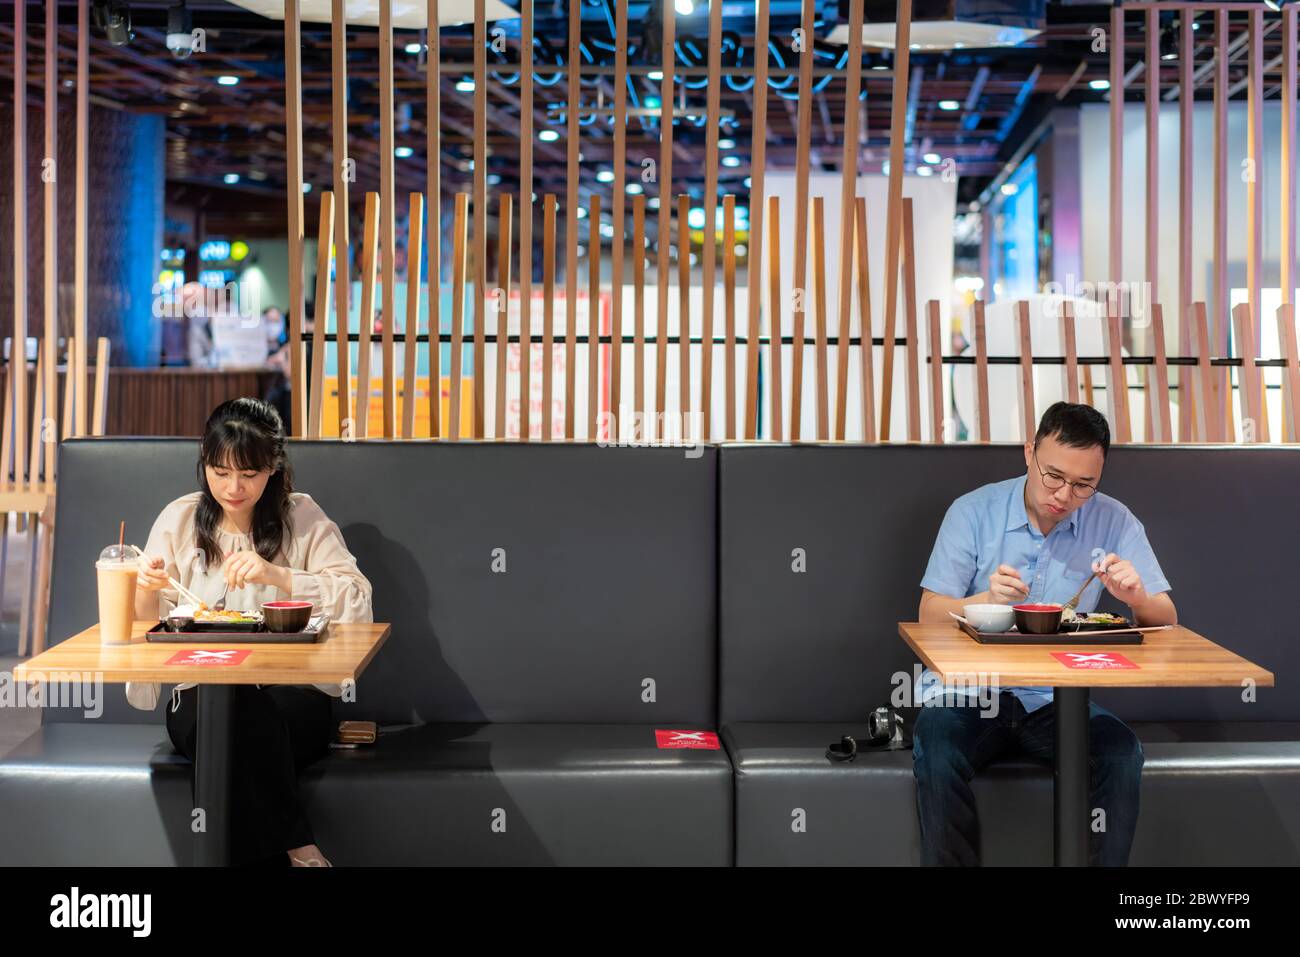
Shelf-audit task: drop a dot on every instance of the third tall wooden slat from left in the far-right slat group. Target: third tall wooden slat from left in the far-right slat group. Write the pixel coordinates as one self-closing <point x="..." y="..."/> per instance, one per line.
<point x="1186" y="101"/>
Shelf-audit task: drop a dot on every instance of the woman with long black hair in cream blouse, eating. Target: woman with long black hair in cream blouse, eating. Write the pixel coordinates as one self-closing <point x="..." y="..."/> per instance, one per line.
<point x="249" y="536"/>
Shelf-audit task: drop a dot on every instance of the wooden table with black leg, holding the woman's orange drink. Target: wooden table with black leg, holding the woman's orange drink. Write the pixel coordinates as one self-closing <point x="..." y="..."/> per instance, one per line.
<point x="341" y="657"/>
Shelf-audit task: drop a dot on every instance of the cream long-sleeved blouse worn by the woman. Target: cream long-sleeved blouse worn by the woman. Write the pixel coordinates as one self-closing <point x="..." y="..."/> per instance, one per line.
<point x="324" y="571"/>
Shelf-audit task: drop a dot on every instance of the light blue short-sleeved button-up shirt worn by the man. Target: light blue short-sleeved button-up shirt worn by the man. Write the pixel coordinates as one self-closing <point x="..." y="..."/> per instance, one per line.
<point x="990" y="527"/>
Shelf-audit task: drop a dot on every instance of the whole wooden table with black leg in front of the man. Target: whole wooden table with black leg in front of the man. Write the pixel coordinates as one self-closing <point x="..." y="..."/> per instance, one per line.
<point x="1173" y="659"/>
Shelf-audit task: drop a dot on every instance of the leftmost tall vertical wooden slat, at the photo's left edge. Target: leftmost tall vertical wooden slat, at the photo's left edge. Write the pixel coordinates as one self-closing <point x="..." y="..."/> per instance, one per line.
<point x="19" y="345"/>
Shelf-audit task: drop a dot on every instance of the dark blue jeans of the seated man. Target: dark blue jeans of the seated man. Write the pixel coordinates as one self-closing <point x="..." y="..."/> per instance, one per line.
<point x="951" y="744"/>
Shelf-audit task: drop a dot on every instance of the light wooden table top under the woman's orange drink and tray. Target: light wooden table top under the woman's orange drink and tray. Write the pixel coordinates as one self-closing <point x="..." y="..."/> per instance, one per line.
<point x="344" y="655"/>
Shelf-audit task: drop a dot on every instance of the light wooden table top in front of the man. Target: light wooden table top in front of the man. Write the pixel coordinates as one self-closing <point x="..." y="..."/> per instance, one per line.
<point x="1175" y="659"/>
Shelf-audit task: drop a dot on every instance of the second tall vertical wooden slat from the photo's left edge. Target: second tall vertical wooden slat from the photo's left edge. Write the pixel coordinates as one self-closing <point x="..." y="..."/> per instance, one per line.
<point x="49" y="380"/>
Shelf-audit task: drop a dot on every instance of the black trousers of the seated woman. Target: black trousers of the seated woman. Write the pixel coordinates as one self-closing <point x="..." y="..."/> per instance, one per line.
<point x="276" y="733"/>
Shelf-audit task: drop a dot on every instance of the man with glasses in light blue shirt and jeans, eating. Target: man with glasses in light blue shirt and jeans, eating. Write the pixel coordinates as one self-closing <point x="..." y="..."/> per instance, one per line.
<point x="1034" y="539"/>
